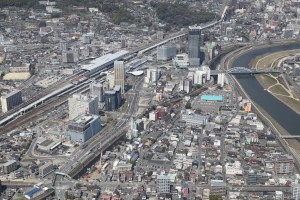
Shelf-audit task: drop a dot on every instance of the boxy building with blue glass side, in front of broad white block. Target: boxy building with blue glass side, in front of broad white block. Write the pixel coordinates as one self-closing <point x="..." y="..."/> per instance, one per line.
<point x="83" y="127"/>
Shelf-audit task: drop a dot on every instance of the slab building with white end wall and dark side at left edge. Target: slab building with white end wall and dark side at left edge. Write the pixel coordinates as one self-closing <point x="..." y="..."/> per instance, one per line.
<point x="11" y="100"/>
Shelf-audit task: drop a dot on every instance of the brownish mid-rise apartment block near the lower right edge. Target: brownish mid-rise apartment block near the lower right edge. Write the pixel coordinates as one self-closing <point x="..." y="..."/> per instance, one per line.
<point x="284" y="164"/>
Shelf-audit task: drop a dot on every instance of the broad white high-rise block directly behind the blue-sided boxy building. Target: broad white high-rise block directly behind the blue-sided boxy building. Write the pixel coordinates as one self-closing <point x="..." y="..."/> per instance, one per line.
<point x="80" y="104"/>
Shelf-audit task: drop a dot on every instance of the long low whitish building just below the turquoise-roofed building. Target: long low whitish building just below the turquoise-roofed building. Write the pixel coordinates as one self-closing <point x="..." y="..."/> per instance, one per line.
<point x="192" y="118"/>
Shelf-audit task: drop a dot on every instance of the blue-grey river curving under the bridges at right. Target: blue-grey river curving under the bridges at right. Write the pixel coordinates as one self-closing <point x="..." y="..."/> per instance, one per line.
<point x="281" y="113"/>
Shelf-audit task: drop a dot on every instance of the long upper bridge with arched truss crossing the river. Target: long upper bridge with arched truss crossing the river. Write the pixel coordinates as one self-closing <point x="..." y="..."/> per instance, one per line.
<point x="245" y="70"/>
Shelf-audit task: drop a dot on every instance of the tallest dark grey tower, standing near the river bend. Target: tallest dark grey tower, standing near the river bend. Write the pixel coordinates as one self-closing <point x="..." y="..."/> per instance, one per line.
<point x="194" y="46"/>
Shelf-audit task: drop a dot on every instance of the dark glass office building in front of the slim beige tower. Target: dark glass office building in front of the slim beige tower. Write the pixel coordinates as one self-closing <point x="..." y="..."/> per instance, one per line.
<point x="113" y="99"/>
